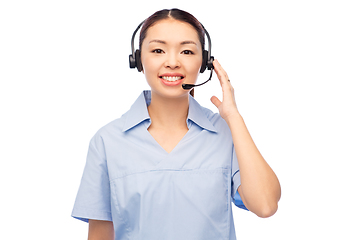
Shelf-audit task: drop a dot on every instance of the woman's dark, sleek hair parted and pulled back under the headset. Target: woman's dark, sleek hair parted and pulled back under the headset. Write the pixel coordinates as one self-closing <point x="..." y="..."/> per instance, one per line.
<point x="176" y="14"/>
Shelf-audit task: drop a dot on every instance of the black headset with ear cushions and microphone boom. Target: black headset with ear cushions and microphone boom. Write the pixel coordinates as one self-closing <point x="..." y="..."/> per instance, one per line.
<point x="207" y="59"/>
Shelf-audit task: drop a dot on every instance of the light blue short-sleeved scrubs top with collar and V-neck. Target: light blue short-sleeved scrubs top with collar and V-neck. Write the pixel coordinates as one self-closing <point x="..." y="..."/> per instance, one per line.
<point x="147" y="193"/>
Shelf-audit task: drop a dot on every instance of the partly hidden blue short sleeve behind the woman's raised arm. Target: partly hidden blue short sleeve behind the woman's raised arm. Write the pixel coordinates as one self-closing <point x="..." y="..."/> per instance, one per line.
<point x="237" y="200"/>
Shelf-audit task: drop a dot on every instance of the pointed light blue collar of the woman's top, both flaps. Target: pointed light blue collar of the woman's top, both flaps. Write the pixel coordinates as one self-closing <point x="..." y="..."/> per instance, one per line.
<point x="139" y="113"/>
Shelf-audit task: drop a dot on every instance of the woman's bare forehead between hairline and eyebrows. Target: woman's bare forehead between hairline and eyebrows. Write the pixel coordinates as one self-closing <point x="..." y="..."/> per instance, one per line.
<point x="173" y="30"/>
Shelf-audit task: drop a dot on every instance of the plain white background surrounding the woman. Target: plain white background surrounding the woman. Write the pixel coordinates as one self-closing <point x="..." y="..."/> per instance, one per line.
<point x="64" y="74"/>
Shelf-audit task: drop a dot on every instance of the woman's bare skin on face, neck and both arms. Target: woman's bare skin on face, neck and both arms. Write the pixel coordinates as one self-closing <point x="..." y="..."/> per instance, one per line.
<point x="173" y="46"/>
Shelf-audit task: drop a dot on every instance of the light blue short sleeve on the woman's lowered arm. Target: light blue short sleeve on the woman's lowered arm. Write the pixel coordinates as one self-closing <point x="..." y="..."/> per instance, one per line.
<point x="93" y="197"/>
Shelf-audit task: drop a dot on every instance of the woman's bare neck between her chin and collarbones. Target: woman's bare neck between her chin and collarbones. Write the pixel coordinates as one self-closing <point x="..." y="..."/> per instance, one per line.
<point x="168" y="112"/>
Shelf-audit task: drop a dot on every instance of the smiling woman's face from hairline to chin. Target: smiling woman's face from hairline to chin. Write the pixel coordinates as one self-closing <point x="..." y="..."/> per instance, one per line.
<point x="171" y="55"/>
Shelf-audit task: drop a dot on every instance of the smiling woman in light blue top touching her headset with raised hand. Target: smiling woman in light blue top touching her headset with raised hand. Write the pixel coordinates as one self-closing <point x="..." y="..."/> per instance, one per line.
<point x="168" y="168"/>
